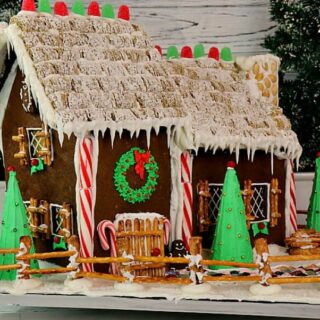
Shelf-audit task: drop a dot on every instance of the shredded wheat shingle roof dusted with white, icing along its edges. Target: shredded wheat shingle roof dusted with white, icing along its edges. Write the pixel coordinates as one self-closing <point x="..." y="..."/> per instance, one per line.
<point x="89" y="73"/>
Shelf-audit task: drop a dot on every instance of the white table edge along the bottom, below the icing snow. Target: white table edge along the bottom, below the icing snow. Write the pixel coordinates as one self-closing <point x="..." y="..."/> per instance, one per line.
<point x="33" y="306"/>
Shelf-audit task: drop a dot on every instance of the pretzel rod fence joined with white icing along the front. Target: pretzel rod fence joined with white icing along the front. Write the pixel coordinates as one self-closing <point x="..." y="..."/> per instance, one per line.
<point x="196" y="266"/>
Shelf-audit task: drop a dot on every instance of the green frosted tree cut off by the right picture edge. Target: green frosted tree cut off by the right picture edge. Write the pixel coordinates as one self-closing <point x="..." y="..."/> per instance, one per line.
<point x="313" y="221"/>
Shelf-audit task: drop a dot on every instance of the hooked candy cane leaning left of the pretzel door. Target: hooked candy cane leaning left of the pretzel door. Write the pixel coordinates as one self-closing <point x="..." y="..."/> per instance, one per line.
<point x="102" y="228"/>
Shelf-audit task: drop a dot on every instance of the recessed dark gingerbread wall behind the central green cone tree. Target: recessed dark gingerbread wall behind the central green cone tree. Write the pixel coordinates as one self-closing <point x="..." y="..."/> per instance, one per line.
<point x="213" y="167"/>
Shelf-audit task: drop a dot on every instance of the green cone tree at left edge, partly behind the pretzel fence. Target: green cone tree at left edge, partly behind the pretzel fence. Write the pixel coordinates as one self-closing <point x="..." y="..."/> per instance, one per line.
<point x="14" y="225"/>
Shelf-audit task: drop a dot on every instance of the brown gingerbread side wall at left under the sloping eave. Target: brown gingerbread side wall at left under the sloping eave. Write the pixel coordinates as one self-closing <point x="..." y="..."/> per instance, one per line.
<point x="55" y="184"/>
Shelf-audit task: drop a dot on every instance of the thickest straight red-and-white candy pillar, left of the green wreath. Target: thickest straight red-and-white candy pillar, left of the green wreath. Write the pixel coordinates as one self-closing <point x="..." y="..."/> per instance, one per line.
<point x="86" y="214"/>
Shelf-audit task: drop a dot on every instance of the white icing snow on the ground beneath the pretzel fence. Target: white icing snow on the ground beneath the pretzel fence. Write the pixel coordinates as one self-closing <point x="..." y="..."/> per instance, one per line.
<point x="241" y="291"/>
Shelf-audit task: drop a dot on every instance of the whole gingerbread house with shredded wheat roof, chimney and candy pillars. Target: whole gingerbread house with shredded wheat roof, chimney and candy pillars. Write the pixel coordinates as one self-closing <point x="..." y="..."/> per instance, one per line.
<point x="107" y="126"/>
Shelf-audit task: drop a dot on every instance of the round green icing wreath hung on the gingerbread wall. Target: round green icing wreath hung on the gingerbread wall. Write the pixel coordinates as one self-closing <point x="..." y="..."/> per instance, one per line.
<point x="122" y="186"/>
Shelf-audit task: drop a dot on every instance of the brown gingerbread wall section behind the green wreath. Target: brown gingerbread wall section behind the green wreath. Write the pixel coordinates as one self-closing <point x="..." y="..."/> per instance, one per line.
<point x="109" y="202"/>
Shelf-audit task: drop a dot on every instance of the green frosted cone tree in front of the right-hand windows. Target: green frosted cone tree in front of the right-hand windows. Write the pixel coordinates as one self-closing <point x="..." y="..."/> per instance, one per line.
<point x="231" y="241"/>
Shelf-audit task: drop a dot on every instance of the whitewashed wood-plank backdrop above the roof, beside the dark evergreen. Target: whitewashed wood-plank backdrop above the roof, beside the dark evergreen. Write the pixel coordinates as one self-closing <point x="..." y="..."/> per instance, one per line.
<point x="239" y="24"/>
